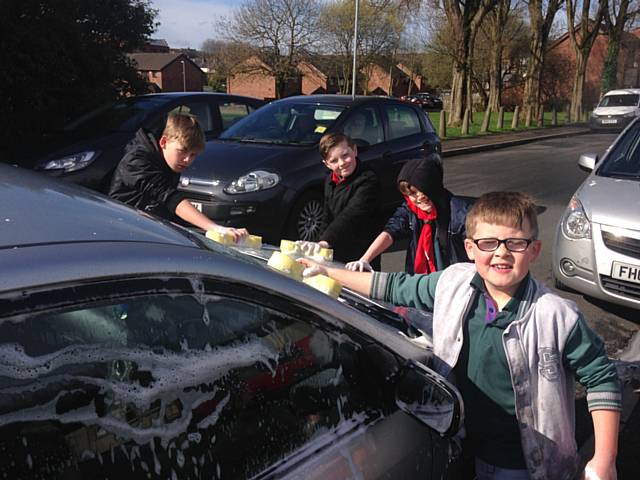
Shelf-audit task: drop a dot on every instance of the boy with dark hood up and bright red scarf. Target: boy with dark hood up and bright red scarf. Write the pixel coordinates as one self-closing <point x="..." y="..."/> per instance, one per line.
<point x="431" y="217"/>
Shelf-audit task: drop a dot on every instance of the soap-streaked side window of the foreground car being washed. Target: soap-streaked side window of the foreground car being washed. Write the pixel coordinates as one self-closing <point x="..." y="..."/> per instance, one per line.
<point x="172" y="386"/>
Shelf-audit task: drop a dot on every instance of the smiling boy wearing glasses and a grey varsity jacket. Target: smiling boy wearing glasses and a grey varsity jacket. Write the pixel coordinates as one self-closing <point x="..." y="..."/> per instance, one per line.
<point x="513" y="346"/>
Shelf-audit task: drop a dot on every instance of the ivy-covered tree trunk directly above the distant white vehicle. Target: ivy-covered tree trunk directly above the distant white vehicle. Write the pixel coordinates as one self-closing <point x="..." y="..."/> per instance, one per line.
<point x="615" y="19"/>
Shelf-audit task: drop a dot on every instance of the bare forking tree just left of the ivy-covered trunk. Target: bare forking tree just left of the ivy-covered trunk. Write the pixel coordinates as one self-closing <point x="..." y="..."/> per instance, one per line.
<point x="582" y="37"/>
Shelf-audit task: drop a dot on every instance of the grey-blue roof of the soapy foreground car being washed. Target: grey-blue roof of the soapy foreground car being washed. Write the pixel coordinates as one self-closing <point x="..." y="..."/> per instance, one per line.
<point x="38" y="209"/>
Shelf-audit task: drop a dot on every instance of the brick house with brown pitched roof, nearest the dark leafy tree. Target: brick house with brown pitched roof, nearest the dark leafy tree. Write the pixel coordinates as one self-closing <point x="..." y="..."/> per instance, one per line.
<point x="169" y="72"/>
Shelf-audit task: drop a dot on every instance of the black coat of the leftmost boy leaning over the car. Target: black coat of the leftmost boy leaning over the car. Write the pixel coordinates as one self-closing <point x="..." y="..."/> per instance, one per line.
<point x="144" y="180"/>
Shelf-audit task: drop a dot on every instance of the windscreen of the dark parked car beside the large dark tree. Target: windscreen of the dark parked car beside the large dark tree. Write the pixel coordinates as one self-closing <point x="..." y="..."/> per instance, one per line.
<point x="122" y="116"/>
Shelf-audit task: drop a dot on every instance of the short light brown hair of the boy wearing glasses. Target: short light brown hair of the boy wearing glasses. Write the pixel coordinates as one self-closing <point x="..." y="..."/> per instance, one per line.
<point x="503" y="208"/>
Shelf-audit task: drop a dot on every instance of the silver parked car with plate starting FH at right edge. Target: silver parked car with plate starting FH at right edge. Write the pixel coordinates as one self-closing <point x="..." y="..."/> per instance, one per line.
<point x="597" y="244"/>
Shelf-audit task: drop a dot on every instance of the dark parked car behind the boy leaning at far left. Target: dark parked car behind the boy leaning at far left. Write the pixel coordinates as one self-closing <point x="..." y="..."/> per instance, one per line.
<point x="87" y="150"/>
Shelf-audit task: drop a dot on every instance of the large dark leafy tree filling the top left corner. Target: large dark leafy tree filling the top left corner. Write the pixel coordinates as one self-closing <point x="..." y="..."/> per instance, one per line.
<point x="60" y="59"/>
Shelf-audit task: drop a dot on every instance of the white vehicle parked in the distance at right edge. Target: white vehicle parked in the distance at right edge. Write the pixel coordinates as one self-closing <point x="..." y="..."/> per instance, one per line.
<point x="616" y="110"/>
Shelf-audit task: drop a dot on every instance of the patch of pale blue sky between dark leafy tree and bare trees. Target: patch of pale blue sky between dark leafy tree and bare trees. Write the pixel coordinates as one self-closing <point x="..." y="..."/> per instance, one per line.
<point x="188" y="23"/>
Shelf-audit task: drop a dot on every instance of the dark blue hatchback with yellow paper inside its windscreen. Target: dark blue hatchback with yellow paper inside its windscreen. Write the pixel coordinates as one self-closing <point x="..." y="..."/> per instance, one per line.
<point x="265" y="173"/>
